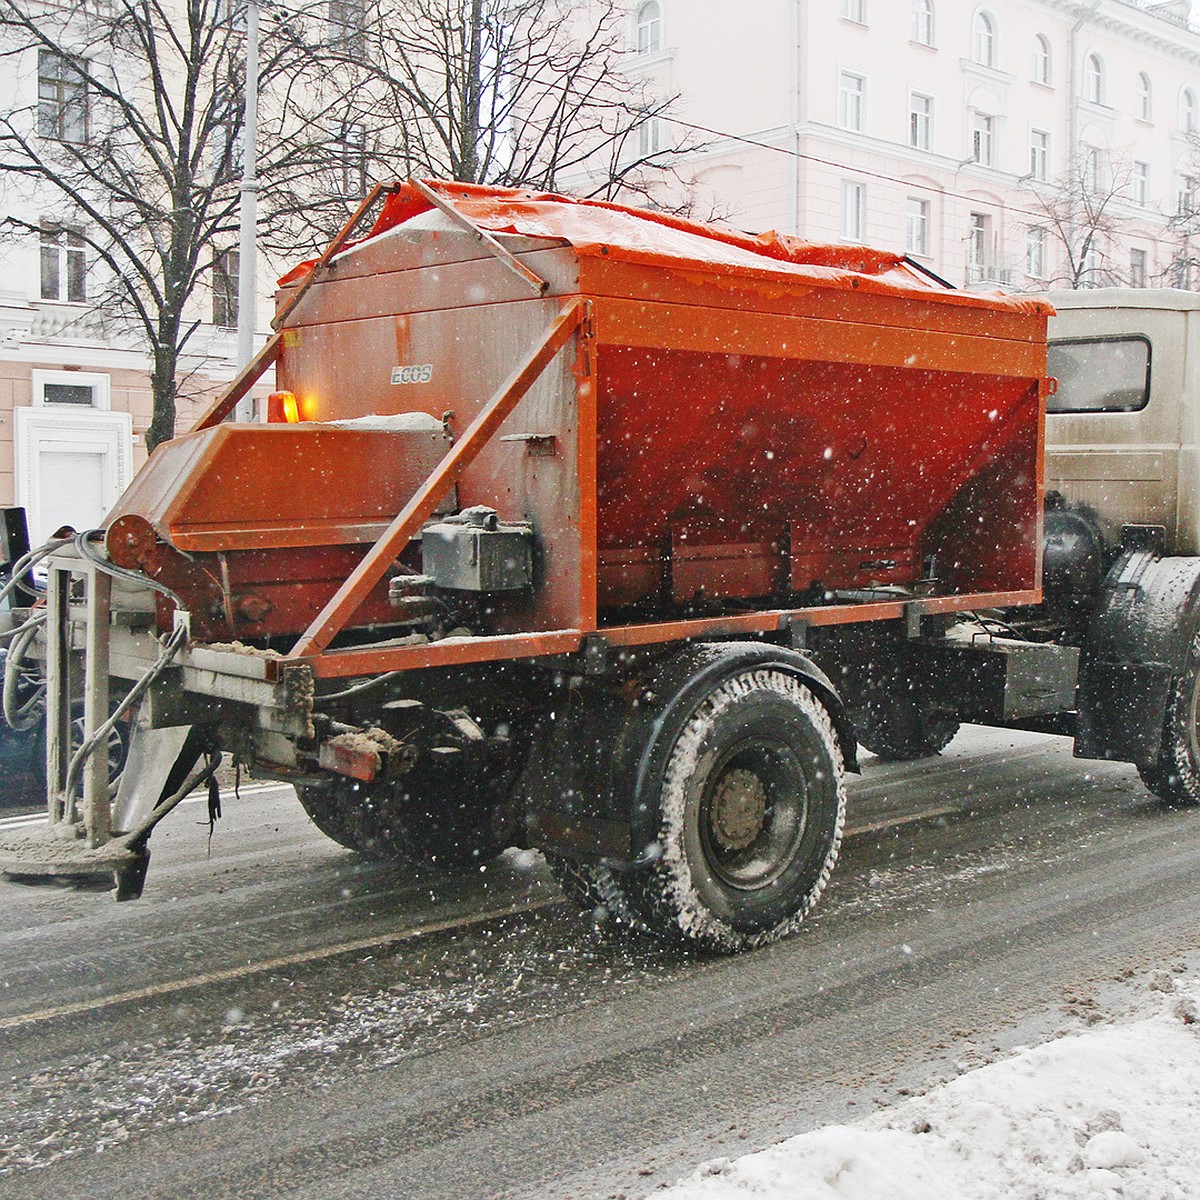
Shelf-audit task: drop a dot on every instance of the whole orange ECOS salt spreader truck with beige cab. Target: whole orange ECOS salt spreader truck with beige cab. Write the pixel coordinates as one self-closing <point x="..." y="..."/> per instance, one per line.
<point x="611" y="535"/>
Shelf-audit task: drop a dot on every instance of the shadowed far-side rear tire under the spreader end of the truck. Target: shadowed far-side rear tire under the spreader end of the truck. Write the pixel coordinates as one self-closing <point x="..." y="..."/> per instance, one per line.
<point x="434" y="817"/>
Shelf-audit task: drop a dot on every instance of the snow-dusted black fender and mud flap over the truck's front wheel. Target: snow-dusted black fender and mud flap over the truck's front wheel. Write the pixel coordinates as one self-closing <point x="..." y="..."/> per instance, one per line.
<point x="1137" y="659"/>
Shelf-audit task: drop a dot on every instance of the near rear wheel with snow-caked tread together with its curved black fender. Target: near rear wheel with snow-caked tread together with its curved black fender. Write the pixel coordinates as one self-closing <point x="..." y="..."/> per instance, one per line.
<point x="721" y="770"/>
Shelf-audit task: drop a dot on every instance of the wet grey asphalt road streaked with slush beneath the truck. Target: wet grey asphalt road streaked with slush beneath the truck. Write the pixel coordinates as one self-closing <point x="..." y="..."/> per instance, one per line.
<point x="279" y="1021"/>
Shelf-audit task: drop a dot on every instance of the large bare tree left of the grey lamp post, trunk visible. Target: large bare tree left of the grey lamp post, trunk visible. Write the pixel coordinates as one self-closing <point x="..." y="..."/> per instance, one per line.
<point x="133" y="143"/>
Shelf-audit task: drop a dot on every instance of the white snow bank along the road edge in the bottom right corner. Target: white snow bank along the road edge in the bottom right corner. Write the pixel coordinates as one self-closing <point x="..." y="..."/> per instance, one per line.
<point x="1113" y="1112"/>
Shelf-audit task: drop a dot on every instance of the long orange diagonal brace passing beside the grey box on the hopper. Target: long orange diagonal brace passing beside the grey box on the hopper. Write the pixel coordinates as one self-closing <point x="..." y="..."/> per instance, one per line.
<point x="346" y="602"/>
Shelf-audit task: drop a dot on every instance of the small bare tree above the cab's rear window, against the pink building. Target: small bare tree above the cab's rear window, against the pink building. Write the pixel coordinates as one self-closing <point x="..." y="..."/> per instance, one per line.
<point x="1081" y="214"/>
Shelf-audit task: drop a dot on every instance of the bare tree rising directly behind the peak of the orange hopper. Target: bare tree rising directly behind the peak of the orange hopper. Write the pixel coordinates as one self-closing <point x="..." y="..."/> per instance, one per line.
<point x="521" y="93"/>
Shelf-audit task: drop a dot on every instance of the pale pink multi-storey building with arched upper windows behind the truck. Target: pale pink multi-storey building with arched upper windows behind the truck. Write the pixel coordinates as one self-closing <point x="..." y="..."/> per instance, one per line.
<point x="1022" y="143"/>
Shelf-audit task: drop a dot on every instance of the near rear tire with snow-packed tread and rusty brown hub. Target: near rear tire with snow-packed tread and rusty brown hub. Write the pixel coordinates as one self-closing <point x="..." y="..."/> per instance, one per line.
<point x="751" y="806"/>
